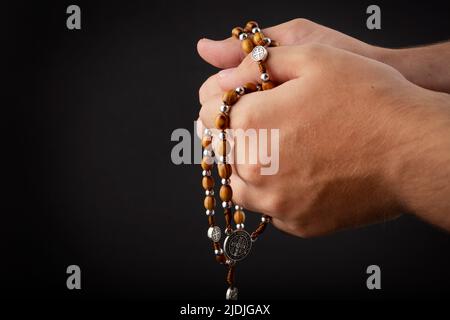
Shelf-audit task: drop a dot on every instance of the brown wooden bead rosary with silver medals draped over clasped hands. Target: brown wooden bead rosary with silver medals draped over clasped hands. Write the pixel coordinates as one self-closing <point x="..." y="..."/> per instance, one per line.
<point x="238" y="242"/>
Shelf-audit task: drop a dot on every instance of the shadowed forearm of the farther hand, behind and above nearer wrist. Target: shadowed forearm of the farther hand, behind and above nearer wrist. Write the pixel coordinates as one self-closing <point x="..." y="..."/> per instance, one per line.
<point x="427" y="66"/>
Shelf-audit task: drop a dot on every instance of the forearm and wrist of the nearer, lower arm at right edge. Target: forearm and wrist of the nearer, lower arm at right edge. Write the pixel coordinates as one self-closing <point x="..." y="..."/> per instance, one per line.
<point x="422" y="160"/>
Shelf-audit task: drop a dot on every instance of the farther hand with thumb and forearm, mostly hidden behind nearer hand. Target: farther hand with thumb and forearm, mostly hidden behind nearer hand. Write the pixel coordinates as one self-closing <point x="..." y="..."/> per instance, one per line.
<point x="425" y="66"/>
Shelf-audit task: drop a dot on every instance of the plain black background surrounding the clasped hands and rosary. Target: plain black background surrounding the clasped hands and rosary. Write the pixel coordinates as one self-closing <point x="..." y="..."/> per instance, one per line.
<point x="88" y="117"/>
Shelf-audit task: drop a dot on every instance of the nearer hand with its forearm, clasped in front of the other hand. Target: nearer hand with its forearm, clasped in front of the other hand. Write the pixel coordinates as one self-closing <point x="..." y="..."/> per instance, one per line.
<point x="359" y="143"/>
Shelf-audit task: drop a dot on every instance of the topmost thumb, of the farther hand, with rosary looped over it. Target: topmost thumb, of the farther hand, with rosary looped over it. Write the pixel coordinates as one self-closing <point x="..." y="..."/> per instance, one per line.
<point x="228" y="53"/>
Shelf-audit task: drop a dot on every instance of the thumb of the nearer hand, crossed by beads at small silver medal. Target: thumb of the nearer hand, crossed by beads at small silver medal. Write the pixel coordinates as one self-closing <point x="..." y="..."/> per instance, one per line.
<point x="283" y="64"/>
